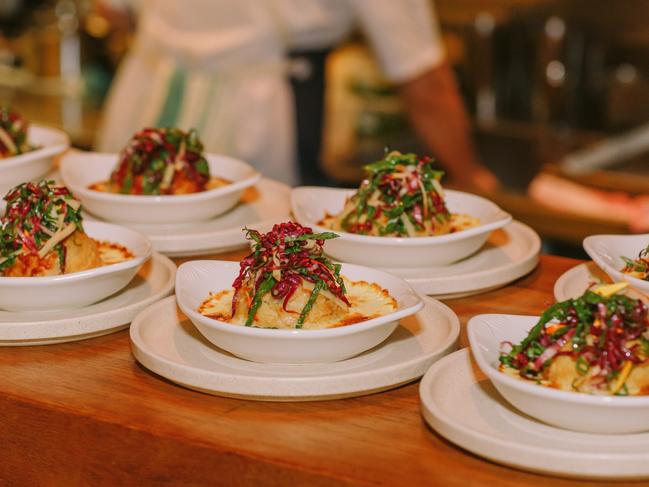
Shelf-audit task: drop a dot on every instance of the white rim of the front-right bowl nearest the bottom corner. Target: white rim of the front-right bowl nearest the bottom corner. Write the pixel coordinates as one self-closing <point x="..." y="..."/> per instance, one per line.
<point x="539" y="391"/>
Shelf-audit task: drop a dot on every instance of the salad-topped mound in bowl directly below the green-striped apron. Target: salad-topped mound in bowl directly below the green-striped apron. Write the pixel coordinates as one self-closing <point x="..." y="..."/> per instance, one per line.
<point x="161" y="161"/>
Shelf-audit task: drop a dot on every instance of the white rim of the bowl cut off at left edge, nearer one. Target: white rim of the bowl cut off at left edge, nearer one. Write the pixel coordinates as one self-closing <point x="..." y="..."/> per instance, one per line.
<point x="40" y="281"/>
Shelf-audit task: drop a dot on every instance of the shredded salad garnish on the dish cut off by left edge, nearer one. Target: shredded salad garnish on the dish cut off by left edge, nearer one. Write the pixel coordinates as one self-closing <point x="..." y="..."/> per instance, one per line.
<point x="38" y="217"/>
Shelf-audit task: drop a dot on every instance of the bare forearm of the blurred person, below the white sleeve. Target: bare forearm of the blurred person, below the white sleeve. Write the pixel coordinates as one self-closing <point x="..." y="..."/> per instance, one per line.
<point x="437" y="114"/>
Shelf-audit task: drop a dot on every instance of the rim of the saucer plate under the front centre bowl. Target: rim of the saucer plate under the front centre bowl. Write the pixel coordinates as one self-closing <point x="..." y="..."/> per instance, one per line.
<point x="143" y="354"/>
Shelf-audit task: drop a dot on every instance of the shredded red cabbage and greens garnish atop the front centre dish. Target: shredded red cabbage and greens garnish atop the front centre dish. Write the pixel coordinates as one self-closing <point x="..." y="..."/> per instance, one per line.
<point x="282" y="260"/>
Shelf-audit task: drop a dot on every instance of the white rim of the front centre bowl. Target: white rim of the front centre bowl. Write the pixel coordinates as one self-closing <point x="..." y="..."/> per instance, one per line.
<point x="294" y="334"/>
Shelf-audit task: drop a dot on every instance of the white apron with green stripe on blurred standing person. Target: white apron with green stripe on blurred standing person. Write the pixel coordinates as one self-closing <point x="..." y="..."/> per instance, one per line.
<point x="207" y="65"/>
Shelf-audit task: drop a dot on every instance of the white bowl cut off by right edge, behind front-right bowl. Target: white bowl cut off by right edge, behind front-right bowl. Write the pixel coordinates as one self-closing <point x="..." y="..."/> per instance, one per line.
<point x="606" y="251"/>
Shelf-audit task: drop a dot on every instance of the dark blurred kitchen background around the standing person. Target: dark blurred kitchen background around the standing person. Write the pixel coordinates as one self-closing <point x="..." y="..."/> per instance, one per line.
<point x="545" y="81"/>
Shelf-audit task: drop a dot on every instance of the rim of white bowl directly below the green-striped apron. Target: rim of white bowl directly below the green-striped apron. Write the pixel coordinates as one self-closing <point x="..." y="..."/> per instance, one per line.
<point x="146" y="199"/>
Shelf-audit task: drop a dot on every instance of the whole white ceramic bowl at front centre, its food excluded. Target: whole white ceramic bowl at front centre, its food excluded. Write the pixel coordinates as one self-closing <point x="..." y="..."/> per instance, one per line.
<point x="196" y="279"/>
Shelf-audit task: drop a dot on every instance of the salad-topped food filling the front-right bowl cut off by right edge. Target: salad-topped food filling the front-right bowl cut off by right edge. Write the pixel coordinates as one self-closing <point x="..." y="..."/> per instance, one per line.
<point x="605" y="337"/>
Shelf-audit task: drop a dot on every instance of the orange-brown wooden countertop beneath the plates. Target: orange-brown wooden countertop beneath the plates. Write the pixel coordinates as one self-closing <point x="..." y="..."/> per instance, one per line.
<point x="86" y="413"/>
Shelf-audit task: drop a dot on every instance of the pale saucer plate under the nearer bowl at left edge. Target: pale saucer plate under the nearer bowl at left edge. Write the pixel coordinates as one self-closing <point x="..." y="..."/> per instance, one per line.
<point x="154" y="281"/>
